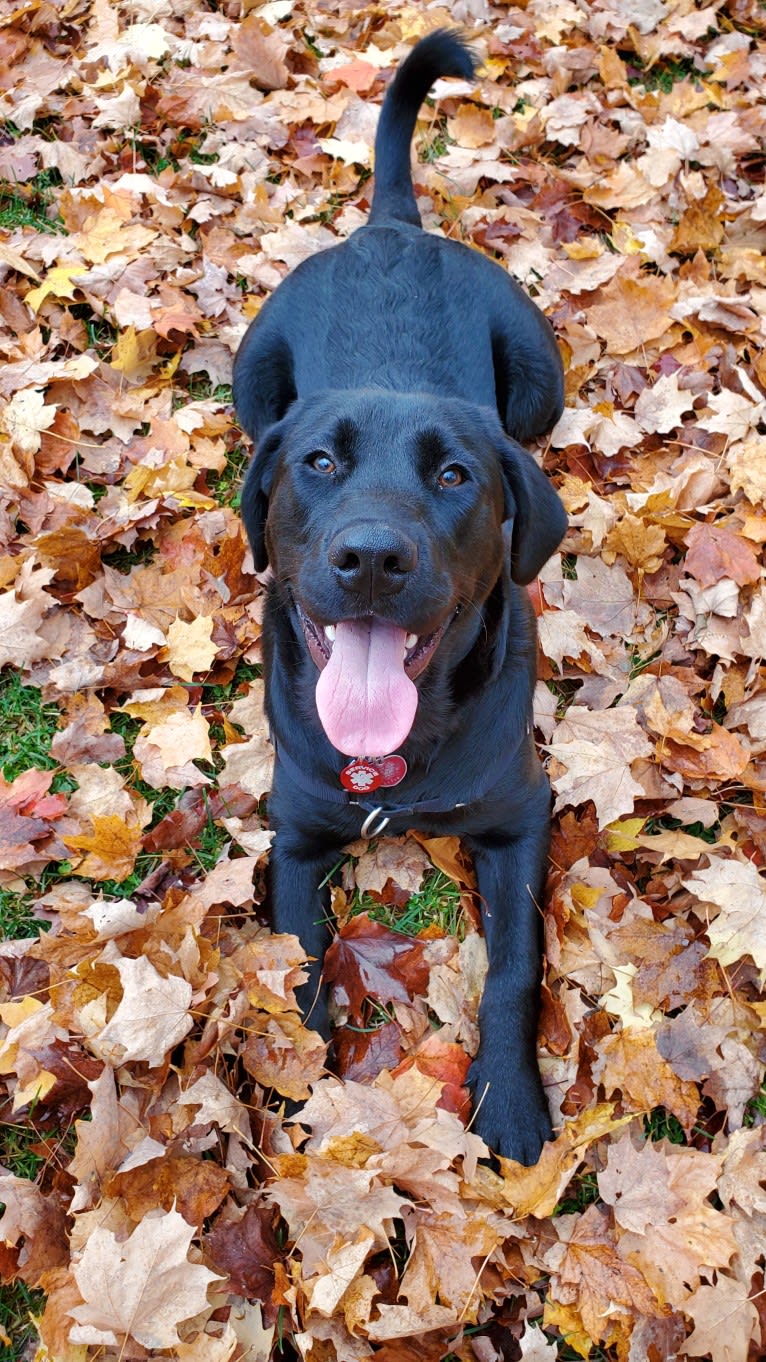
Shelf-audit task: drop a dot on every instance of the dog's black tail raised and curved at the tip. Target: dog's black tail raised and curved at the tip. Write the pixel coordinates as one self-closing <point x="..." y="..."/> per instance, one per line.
<point x="442" y="54"/>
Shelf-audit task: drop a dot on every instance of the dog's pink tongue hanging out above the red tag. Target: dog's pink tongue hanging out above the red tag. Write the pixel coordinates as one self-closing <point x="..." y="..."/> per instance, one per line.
<point x="365" y="698"/>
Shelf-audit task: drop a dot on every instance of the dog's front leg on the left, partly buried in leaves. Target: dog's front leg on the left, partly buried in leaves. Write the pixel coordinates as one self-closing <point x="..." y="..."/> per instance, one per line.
<point x="301" y="905"/>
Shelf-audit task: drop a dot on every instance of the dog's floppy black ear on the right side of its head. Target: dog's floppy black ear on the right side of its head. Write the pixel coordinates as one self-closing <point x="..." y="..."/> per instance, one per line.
<point x="539" y="518"/>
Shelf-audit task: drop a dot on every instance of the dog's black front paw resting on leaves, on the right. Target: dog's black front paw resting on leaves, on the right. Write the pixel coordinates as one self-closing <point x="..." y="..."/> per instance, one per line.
<point x="510" y="1112"/>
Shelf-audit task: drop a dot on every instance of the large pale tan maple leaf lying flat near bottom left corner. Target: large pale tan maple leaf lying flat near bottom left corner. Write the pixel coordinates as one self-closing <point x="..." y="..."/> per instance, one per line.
<point x="142" y="1288"/>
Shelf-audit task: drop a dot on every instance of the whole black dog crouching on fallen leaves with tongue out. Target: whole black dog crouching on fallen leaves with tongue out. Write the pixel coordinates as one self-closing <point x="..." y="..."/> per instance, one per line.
<point x="386" y="383"/>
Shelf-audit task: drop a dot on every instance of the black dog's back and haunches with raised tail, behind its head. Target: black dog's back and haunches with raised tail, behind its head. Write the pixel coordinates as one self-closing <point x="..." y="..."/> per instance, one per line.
<point x="401" y="310"/>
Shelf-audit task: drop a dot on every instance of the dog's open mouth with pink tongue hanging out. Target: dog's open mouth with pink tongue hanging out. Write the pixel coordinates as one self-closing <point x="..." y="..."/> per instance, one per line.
<point x="366" y="694"/>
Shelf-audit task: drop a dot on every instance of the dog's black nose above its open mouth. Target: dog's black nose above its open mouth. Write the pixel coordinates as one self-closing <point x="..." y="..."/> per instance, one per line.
<point x="373" y="559"/>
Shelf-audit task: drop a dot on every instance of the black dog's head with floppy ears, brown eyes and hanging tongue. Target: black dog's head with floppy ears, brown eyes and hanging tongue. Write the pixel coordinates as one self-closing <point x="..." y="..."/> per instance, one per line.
<point x="386" y="520"/>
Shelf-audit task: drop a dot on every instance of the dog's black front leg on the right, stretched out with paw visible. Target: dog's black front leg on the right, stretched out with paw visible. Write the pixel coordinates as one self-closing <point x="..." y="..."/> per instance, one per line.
<point x="508" y="1092"/>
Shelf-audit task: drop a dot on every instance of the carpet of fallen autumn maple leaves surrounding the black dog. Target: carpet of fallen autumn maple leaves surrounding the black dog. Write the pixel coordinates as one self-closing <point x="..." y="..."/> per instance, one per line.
<point x="164" y="164"/>
